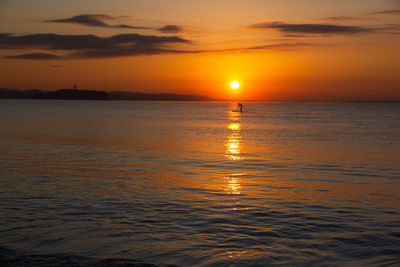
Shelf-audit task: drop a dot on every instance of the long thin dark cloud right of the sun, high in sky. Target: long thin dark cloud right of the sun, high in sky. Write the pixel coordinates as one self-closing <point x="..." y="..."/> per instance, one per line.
<point x="309" y="28"/>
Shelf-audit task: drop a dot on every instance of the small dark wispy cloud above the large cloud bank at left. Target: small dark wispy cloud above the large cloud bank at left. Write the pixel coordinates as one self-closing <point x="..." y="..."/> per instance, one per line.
<point x="94" y="20"/>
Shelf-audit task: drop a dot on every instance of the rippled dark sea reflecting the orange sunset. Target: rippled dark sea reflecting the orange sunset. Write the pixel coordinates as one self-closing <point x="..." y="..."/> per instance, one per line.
<point x="195" y="184"/>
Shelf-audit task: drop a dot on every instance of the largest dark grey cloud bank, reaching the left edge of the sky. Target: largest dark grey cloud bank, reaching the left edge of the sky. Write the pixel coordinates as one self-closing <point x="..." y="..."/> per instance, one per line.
<point x="90" y="46"/>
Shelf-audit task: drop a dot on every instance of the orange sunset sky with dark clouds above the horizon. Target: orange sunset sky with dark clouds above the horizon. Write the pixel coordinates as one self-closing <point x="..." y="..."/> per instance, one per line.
<point x="286" y="50"/>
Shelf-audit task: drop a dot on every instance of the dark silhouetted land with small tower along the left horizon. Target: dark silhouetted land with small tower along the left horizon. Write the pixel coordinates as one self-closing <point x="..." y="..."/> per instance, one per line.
<point x="74" y="94"/>
